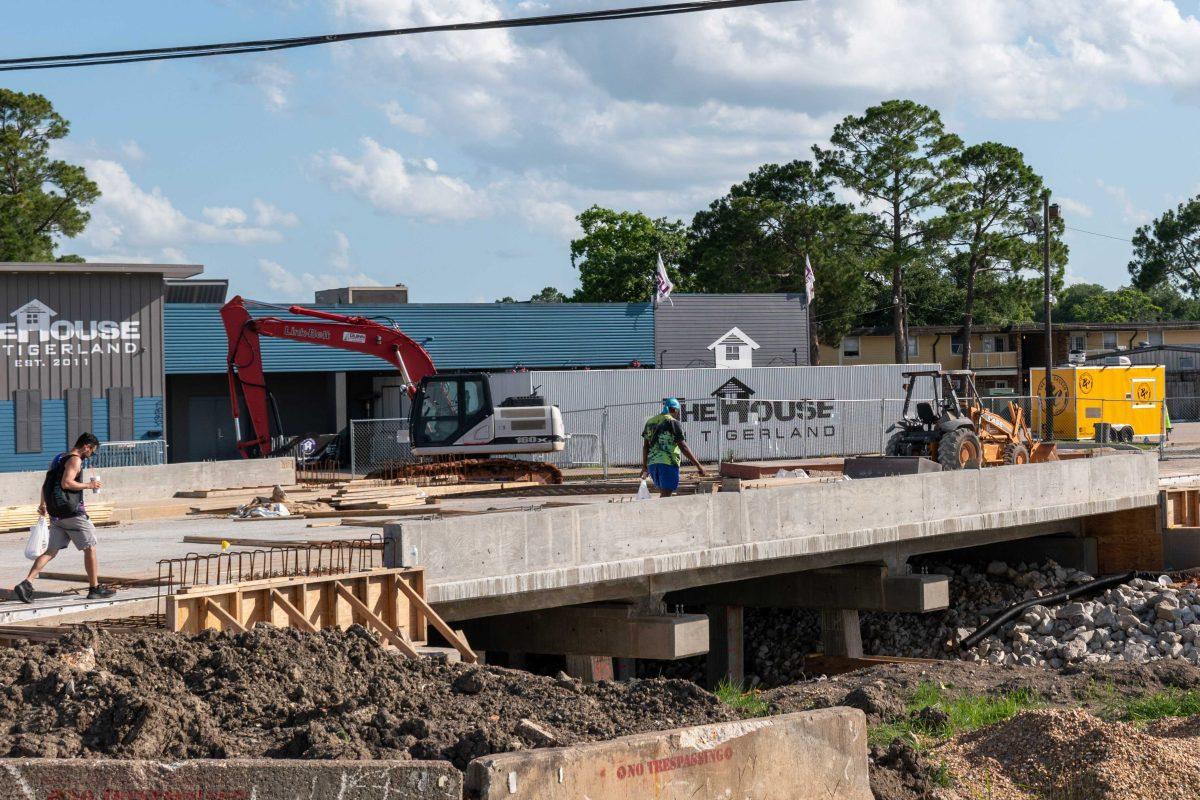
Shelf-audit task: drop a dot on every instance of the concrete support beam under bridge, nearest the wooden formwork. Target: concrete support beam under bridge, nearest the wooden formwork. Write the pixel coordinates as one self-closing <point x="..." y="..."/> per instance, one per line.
<point x="615" y="630"/>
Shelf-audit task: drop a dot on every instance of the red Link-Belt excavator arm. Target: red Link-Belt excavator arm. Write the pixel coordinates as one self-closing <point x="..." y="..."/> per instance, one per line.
<point x="355" y="334"/>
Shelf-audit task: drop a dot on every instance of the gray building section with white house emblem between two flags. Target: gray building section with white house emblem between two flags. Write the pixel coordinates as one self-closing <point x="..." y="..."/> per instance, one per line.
<point x="733" y="332"/>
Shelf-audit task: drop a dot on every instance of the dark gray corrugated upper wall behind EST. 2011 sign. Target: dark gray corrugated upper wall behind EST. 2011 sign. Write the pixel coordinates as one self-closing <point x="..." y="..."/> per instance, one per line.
<point x="86" y="299"/>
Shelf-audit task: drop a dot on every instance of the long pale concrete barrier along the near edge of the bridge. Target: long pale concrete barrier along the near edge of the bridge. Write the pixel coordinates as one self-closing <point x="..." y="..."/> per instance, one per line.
<point x="608" y="551"/>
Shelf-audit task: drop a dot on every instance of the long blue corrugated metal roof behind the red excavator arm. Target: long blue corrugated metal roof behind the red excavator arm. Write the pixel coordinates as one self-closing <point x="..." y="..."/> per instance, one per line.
<point x="465" y="336"/>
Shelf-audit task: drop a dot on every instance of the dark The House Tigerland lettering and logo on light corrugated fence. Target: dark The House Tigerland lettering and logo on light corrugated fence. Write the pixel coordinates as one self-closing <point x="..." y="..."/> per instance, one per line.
<point x="734" y="416"/>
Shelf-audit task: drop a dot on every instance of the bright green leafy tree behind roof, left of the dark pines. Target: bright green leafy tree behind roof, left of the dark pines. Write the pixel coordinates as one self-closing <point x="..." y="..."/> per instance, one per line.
<point x="619" y="252"/>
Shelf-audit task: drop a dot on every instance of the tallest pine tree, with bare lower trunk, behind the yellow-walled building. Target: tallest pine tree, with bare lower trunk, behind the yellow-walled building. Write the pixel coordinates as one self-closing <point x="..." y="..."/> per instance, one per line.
<point x="897" y="158"/>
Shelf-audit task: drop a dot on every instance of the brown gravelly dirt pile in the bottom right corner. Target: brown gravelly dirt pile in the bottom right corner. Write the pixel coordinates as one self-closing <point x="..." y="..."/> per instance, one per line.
<point x="1070" y="754"/>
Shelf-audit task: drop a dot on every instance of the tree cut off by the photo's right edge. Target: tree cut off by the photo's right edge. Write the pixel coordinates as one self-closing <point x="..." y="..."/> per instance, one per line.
<point x="1168" y="251"/>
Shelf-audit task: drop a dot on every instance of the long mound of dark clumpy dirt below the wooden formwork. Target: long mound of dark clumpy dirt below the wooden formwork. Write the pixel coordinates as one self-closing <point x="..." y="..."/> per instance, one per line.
<point x="283" y="694"/>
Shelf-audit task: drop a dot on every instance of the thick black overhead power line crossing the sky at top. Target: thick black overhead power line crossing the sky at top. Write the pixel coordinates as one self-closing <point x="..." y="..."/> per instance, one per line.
<point x="268" y="45"/>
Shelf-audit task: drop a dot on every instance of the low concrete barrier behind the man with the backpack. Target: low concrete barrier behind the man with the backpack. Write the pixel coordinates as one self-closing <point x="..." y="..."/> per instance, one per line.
<point x="141" y="484"/>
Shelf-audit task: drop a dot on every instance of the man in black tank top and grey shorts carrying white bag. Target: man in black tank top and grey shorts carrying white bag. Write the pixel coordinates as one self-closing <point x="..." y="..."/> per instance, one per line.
<point x="63" y="498"/>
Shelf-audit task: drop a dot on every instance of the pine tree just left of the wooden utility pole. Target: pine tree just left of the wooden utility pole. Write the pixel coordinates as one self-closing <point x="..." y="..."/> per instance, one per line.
<point x="993" y="208"/>
